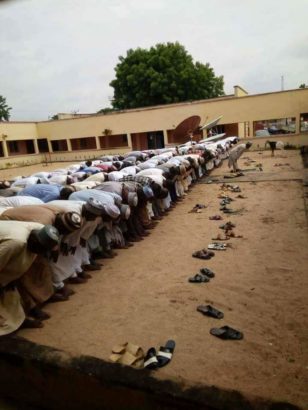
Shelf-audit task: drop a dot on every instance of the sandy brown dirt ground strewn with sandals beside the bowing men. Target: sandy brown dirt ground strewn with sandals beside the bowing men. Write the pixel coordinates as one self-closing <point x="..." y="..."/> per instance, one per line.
<point x="143" y="295"/>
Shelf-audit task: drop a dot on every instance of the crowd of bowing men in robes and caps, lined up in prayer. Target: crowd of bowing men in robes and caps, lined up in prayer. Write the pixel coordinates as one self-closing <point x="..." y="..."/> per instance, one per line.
<point x="54" y="226"/>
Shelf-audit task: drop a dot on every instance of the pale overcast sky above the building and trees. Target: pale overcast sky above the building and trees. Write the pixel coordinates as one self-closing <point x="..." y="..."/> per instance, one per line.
<point x="59" y="55"/>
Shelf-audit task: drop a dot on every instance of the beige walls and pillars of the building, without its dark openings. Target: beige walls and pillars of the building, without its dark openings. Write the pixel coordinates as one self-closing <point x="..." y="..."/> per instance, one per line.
<point x="239" y="112"/>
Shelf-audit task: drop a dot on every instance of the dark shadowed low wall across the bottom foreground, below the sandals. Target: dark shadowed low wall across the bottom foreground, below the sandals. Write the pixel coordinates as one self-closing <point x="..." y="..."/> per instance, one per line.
<point x="41" y="376"/>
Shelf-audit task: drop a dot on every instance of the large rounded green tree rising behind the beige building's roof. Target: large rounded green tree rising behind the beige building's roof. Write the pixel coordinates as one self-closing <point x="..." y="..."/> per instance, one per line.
<point x="163" y="74"/>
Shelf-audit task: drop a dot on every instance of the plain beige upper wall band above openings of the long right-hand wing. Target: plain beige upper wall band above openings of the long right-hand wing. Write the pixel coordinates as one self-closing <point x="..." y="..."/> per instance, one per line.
<point x="234" y="110"/>
